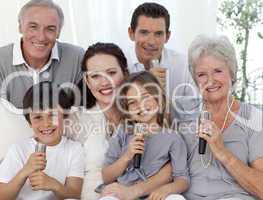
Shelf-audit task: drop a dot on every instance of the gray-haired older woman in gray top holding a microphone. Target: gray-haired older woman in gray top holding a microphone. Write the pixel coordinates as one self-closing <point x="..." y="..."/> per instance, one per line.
<point x="232" y="166"/>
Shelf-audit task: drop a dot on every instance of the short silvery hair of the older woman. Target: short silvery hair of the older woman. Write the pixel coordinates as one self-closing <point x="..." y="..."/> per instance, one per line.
<point x="218" y="47"/>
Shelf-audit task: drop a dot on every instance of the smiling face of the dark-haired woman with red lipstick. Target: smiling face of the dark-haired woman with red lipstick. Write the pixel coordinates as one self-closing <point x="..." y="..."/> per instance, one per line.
<point x="104" y="76"/>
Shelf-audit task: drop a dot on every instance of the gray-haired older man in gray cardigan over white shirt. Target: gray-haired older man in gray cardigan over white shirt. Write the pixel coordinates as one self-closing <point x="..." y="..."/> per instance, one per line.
<point x="38" y="56"/>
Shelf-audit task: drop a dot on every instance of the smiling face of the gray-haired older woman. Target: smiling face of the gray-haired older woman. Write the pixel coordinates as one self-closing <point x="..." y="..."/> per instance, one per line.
<point x="213" y="78"/>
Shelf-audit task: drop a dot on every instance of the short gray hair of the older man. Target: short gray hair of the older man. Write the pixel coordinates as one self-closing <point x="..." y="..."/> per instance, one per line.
<point x="42" y="3"/>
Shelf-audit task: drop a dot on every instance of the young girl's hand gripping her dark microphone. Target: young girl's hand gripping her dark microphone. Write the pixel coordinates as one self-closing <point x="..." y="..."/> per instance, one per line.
<point x="136" y="146"/>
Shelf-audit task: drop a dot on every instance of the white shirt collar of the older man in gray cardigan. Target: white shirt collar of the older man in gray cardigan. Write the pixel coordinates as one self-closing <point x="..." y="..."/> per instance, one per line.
<point x="18" y="58"/>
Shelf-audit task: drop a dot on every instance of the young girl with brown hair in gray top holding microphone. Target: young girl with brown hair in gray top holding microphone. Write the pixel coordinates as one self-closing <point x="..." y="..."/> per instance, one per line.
<point x="142" y="101"/>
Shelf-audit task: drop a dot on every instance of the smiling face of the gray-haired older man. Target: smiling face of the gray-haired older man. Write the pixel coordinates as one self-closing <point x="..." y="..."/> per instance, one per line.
<point x="40" y="29"/>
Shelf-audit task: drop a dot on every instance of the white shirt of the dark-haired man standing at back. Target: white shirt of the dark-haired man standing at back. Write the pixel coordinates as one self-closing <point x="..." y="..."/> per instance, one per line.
<point x="176" y="65"/>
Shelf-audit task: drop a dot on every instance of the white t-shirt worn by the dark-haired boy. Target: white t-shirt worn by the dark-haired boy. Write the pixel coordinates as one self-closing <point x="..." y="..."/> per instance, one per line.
<point x="63" y="160"/>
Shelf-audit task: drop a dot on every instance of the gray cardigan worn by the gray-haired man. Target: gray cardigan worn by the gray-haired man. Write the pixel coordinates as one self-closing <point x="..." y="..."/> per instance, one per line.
<point x="66" y="70"/>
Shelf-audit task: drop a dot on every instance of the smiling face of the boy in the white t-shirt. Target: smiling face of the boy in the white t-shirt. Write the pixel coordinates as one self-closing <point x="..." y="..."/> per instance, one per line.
<point x="47" y="126"/>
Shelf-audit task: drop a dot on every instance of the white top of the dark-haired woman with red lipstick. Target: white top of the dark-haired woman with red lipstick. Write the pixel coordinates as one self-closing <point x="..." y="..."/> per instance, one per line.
<point x="89" y="128"/>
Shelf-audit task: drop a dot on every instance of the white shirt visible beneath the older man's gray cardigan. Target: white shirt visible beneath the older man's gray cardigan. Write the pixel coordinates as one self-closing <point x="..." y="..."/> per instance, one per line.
<point x="18" y="59"/>
